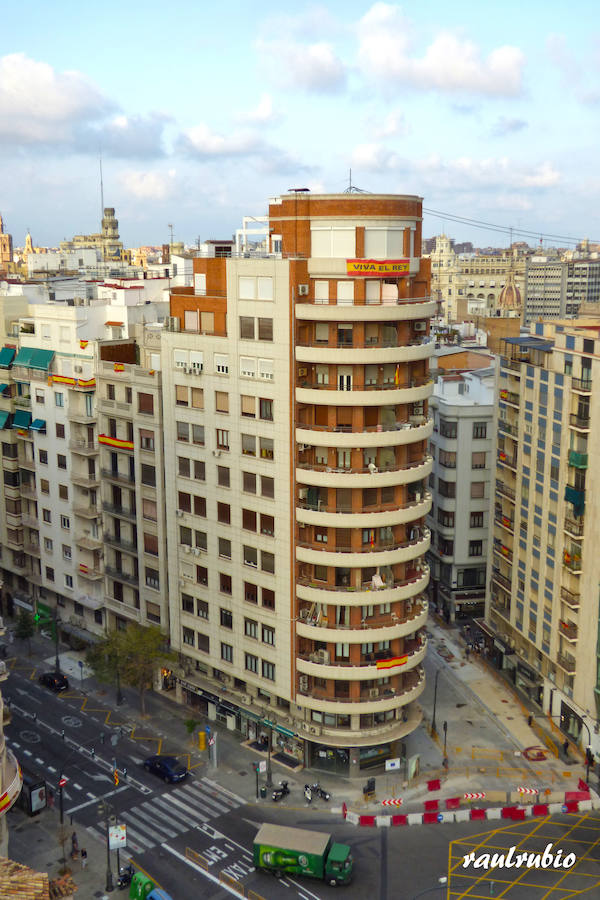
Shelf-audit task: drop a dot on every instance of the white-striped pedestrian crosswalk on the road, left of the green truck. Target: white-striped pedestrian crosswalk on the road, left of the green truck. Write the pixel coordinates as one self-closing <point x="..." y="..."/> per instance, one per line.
<point x="167" y="815"/>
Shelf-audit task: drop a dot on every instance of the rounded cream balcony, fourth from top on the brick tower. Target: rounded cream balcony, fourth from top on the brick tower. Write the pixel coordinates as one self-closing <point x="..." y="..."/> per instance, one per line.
<point x="396" y="435"/>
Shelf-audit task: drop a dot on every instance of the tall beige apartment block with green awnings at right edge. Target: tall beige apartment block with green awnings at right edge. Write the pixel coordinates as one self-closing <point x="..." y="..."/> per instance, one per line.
<point x="543" y="614"/>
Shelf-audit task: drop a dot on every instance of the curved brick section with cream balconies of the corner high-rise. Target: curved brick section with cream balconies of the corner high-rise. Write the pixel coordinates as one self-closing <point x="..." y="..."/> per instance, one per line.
<point x="361" y="420"/>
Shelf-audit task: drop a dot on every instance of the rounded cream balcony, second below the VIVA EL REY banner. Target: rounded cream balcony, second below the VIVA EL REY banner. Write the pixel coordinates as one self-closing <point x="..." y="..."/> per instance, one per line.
<point x="378" y="353"/>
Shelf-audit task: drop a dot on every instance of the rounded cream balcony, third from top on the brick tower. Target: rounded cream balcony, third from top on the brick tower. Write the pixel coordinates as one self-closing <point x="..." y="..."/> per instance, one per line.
<point x="367" y="395"/>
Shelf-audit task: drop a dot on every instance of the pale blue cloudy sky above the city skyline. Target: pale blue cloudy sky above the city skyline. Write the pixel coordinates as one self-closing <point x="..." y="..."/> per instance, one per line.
<point x="203" y="110"/>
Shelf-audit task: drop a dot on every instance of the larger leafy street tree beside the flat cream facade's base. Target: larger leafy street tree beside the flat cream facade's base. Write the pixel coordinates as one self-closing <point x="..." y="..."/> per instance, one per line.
<point x="130" y="657"/>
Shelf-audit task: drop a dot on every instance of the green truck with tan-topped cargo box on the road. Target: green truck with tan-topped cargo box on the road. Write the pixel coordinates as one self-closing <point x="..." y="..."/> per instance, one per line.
<point x="297" y="851"/>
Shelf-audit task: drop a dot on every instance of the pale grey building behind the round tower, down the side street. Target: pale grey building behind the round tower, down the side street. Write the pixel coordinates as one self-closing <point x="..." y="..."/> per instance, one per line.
<point x="462" y="446"/>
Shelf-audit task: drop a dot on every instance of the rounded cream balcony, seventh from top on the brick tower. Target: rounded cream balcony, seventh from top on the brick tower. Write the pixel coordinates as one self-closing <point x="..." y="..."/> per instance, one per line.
<point x="380" y="554"/>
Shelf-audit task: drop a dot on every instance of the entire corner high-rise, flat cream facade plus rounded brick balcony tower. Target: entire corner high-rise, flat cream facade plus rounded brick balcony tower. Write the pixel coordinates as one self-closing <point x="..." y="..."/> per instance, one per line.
<point x="296" y="392"/>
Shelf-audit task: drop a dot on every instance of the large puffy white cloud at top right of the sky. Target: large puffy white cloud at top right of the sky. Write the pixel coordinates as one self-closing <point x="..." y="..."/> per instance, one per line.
<point x="450" y="63"/>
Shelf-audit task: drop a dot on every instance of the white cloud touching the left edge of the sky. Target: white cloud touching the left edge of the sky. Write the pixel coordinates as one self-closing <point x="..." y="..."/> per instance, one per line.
<point x="40" y="105"/>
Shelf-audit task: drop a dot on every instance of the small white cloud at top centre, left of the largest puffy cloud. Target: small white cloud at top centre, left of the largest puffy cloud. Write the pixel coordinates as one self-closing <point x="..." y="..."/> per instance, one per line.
<point x="310" y="67"/>
